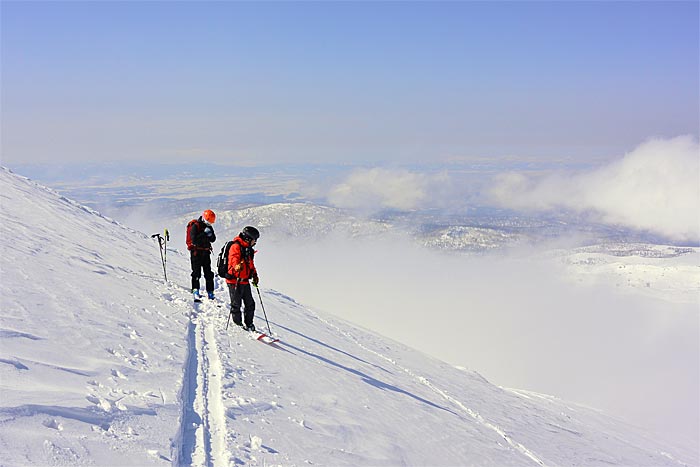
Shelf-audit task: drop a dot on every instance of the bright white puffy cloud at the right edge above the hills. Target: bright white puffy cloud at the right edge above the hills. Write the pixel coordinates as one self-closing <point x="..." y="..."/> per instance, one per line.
<point x="656" y="187"/>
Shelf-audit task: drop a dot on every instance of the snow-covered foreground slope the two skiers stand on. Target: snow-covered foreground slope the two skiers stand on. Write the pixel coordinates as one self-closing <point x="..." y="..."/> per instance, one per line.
<point x="104" y="363"/>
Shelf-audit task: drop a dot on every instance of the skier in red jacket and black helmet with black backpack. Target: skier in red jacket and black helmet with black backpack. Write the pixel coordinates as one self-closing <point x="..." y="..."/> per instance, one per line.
<point x="241" y="270"/>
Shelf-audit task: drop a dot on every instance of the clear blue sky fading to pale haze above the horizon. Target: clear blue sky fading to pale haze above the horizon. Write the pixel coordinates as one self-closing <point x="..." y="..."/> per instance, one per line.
<point x="346" y="82"/>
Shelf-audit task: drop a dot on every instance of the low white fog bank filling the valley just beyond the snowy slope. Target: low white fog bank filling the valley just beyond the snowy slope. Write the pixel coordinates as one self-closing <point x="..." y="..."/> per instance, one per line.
<point x="515" y="319"/>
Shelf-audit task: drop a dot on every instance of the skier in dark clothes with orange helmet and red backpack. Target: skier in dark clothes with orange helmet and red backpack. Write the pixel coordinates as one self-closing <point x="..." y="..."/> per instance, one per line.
<point x="200" y="236"/>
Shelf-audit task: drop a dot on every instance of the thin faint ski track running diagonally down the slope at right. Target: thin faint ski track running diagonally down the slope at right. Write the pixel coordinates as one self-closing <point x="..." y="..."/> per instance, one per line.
<point x="475" y="415"/>
